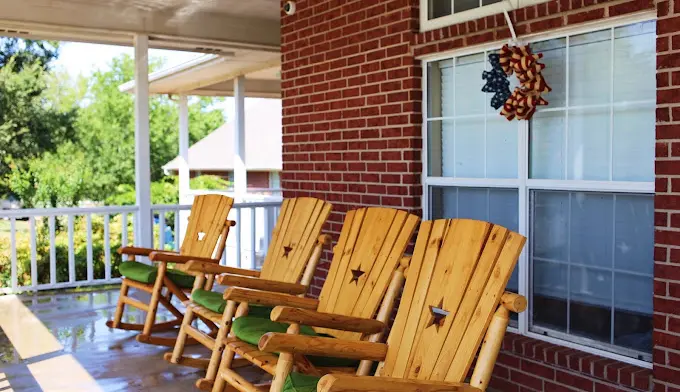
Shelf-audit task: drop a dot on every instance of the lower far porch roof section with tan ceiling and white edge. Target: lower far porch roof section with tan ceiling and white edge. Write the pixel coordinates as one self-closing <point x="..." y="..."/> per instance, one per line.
<point x="213" y="75"/>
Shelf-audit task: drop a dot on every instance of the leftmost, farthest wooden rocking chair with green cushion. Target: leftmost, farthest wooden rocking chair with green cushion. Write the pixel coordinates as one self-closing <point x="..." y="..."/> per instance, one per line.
<point x="205" y="239"/>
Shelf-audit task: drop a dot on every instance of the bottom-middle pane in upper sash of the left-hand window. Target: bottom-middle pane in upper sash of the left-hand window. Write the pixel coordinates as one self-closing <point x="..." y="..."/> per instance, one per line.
<point x="469" y="148"/>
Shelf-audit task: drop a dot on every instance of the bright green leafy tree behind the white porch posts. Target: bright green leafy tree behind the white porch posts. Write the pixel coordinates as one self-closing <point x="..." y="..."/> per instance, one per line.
<point x="106" y="128"/>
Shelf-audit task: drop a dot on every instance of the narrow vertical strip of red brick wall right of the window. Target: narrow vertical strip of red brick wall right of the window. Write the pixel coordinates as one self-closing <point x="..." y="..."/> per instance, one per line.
<point x="667" y="201"/>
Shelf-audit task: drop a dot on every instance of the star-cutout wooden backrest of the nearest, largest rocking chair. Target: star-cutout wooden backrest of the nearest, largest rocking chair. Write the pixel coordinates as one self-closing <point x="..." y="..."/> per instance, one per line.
<point x="457" y="275"/>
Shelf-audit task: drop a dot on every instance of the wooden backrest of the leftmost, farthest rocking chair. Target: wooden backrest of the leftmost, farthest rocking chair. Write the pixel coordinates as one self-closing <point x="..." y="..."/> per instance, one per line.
<point x="206" y="225"/>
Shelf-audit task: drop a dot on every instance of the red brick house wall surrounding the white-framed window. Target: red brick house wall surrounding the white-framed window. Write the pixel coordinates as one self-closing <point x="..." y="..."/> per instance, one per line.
<point x="352" y="102"/>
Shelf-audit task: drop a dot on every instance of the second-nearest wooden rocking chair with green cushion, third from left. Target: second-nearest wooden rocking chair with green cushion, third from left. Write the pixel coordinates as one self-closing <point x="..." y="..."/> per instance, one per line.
<point x="364" y="270"/>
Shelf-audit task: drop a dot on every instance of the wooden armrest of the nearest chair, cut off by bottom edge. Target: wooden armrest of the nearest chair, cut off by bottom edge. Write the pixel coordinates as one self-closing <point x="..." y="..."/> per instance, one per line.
<point x="347" y="383"/>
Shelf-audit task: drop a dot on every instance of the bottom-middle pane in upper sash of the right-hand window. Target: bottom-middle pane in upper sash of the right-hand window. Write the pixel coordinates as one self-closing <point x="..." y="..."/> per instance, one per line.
<point x="588" y="149"/>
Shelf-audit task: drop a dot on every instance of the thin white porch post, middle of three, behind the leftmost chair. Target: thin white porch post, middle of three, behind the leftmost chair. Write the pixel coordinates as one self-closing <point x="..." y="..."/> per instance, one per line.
<point x="184" y="177"/>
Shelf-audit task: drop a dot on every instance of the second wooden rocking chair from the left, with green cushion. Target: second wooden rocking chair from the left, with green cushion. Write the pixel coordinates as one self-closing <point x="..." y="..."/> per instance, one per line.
<point x="294" y="252"/>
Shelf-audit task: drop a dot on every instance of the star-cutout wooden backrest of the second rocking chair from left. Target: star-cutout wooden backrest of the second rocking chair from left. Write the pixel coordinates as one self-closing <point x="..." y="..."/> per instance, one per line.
<point x="296" y="232"/>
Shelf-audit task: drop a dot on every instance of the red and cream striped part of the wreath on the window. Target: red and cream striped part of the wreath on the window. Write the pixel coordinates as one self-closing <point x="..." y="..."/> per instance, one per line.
<point x="527" y="96"/>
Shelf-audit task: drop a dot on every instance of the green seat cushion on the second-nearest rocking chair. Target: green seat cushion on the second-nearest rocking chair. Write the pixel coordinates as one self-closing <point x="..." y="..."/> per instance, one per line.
<point x="250" y="329"/>
